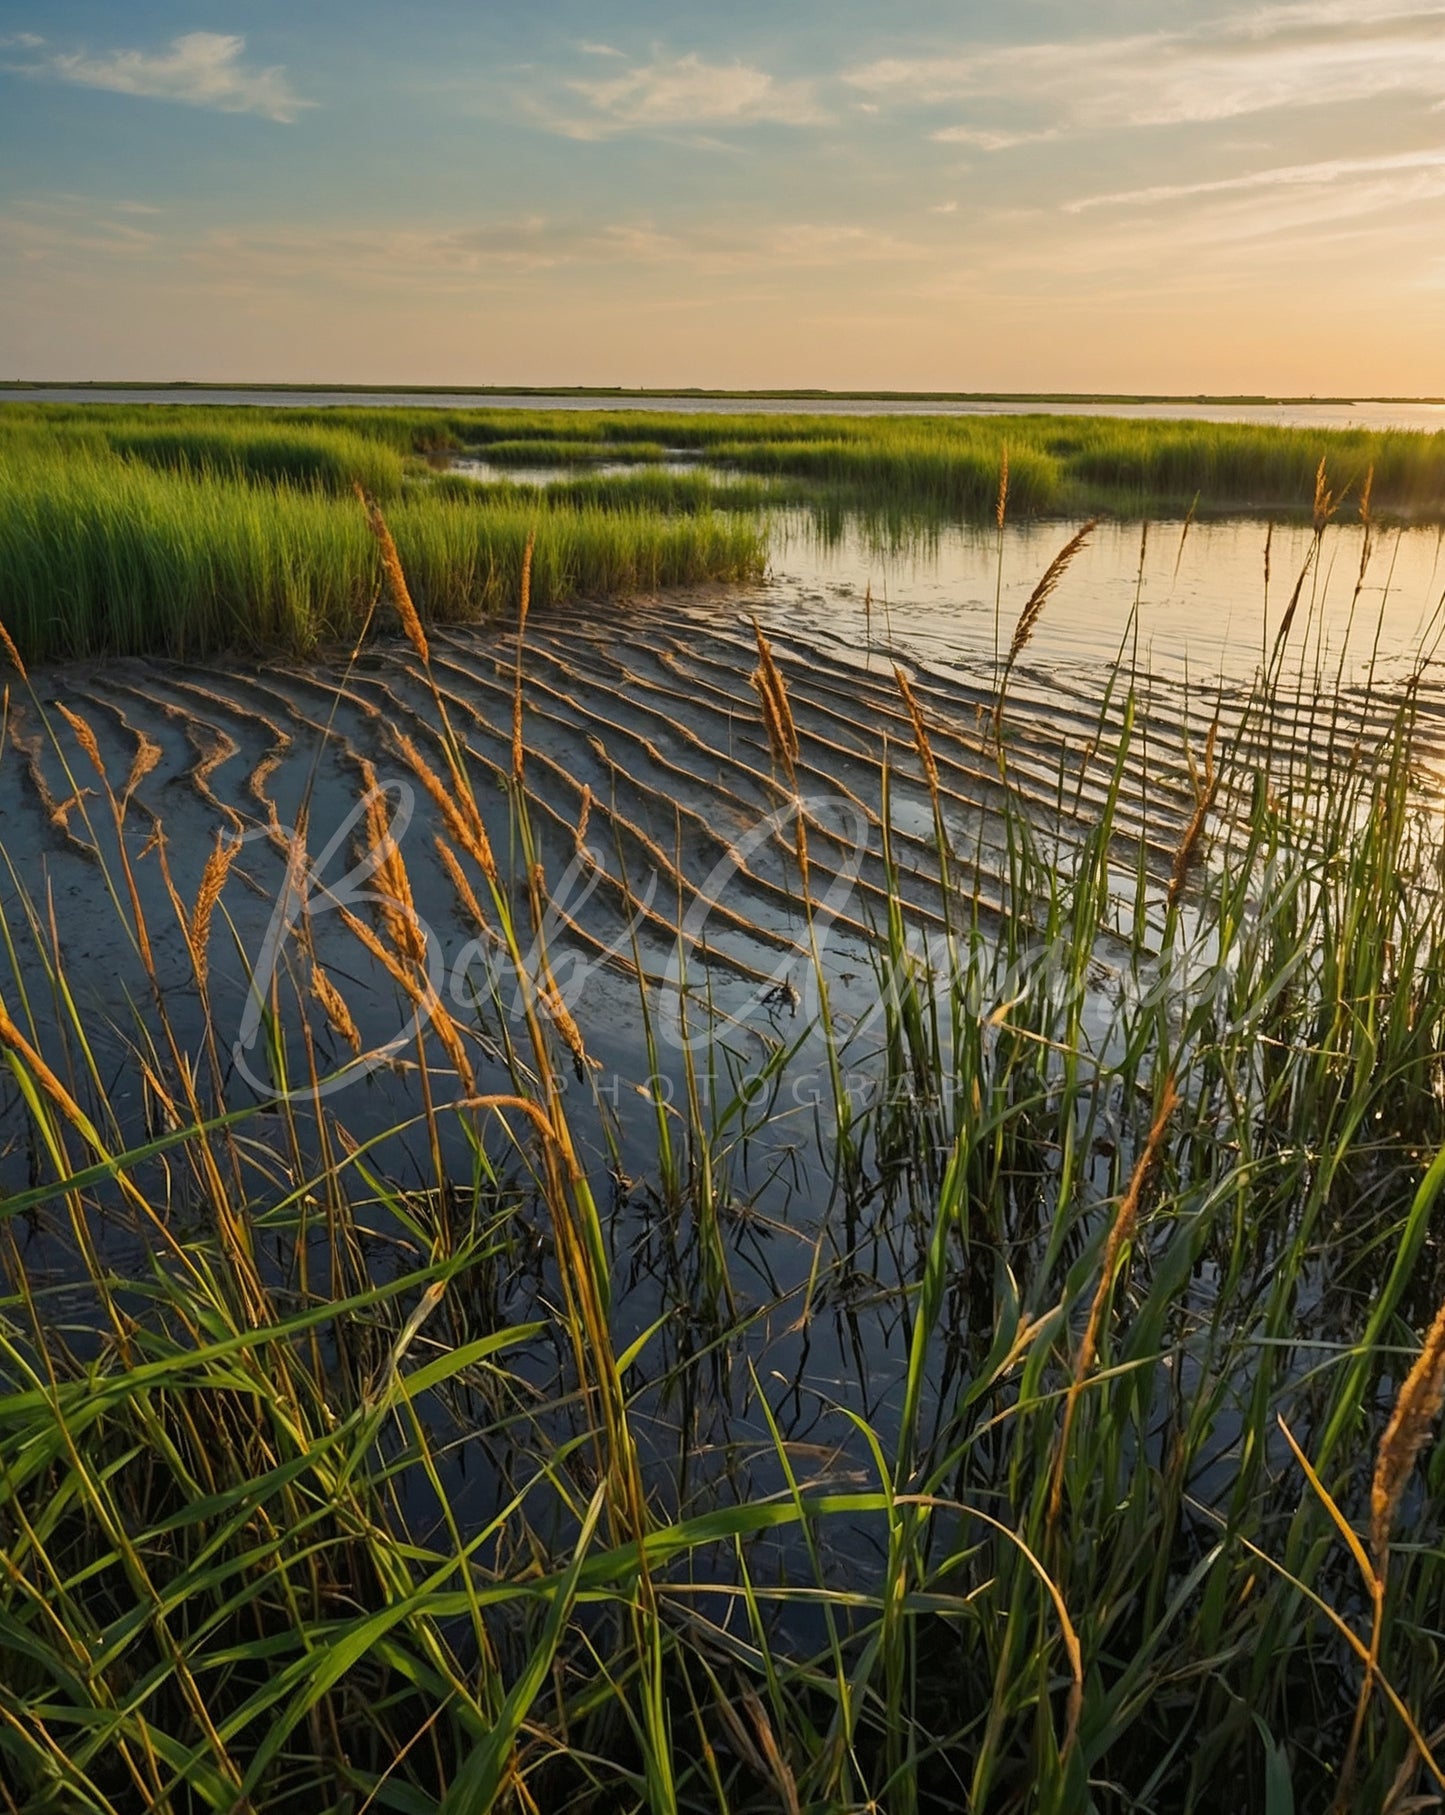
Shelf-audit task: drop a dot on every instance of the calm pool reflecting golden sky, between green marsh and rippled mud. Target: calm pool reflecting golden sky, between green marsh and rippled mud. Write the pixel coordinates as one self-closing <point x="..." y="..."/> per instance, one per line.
<point x="1192" y="607"/>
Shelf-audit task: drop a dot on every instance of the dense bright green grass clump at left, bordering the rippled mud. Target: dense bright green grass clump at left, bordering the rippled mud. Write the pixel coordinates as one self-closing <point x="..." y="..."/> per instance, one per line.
<point x="106" y="553"/>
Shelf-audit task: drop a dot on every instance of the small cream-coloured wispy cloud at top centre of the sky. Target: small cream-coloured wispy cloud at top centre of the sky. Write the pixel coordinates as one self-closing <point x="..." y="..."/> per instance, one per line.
<point x="687" y="92"/>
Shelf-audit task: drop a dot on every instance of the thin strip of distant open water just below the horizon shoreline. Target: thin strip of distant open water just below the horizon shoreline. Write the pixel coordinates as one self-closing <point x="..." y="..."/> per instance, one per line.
<point x="1362" y="413"/>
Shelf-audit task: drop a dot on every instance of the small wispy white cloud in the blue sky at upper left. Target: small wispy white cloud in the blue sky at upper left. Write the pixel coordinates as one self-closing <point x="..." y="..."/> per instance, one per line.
<point x="201" y="70"/>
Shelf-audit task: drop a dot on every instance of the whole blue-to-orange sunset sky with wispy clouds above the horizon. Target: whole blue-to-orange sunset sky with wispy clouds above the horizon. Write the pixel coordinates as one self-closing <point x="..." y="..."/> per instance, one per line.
<point x="947" y="195"/>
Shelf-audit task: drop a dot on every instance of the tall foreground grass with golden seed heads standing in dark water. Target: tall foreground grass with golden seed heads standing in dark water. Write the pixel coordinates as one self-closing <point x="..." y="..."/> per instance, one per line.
<point x="329" y="1478"/>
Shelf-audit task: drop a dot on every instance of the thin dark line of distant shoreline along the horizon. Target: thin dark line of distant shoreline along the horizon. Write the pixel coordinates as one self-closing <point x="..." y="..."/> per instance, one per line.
<point x="698" y="391"/>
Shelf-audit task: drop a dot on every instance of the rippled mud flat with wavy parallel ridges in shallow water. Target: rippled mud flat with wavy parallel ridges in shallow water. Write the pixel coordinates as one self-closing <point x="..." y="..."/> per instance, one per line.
<point x="649" y="716"/>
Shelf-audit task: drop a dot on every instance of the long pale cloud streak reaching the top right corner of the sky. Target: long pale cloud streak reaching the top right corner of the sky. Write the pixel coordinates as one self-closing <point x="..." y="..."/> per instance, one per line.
<point x="1299" y="55"/>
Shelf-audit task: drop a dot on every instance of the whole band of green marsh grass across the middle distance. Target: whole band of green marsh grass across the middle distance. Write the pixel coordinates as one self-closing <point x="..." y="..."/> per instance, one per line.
<point x="182" y="529"/>
